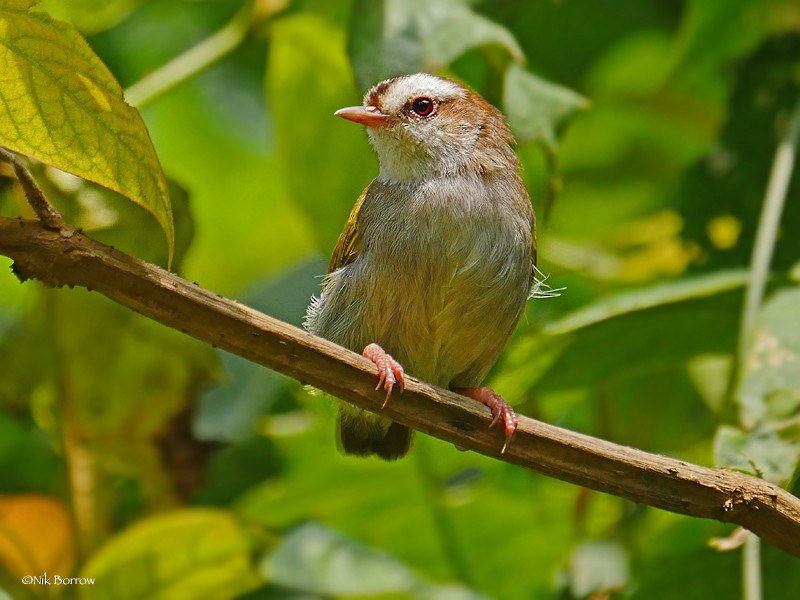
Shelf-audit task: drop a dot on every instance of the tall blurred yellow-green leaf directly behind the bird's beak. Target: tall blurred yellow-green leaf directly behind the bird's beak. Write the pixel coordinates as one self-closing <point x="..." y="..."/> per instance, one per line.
<point x="317" y="150"/>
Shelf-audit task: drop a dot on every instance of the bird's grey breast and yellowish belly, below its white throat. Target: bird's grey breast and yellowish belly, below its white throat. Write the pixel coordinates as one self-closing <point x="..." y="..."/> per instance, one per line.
<point x="445" y="269"/>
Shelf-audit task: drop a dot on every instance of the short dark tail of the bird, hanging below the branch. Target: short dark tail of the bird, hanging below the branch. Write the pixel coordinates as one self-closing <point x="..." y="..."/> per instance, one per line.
<point x="367" y="435"/>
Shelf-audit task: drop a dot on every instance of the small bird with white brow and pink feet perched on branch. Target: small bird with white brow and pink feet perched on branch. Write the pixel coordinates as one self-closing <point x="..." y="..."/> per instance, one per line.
<point x="438" y="256"/>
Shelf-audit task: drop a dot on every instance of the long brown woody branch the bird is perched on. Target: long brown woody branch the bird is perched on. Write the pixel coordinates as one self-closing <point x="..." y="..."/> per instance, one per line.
<point x="66" y="257"/>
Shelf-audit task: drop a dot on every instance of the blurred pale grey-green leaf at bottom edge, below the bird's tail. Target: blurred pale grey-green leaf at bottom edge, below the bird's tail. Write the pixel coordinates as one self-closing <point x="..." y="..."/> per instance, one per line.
<point x="316" y="559"/>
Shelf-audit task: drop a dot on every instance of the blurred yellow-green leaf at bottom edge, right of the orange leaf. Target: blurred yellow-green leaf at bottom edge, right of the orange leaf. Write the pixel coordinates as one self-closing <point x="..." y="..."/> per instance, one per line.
<point x="192" y="553"/>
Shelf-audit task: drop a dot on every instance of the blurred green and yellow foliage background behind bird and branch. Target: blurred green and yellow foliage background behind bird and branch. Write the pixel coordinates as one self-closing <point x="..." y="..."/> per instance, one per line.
<point x="166" y="469"/>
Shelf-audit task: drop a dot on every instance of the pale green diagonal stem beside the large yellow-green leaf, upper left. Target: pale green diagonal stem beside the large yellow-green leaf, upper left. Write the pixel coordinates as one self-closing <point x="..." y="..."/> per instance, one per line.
<point x="194" y="60"/>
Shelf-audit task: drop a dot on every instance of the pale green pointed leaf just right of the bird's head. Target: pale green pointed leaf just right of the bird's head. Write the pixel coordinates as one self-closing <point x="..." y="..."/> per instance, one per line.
<point x="535" y="108"/>
